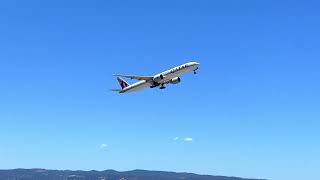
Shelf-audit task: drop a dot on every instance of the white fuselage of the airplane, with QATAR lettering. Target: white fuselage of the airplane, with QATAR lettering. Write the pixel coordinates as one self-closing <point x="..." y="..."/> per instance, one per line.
<point x="162" y="78"/>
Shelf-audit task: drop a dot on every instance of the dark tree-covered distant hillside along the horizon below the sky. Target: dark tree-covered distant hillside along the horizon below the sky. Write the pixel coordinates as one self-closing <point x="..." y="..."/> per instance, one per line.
<point x="43" y="174"/>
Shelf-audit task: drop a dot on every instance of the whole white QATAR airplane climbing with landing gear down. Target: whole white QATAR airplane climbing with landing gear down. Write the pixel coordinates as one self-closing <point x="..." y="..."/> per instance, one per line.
<point x="171" y="76"/>
